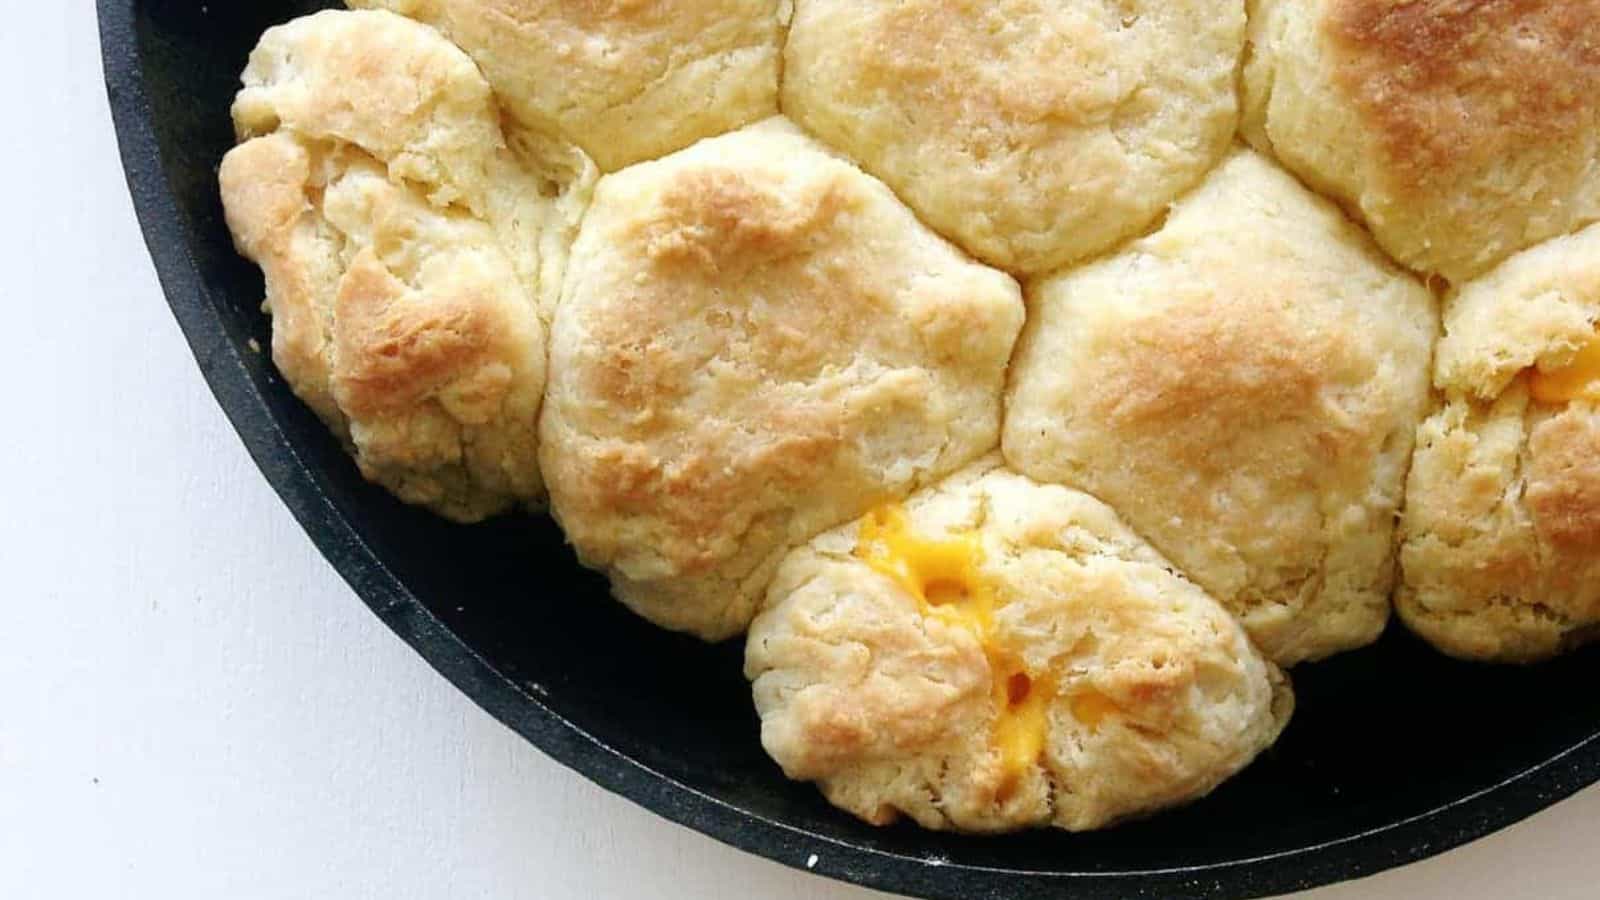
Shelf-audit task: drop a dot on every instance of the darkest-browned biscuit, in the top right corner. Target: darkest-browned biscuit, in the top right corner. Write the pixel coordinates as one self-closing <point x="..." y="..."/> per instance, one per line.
<point x="1458" y="132"/>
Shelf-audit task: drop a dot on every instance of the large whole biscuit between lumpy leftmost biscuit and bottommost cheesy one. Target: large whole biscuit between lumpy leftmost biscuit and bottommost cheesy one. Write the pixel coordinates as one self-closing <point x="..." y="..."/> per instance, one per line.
<point x="758" y="342"/>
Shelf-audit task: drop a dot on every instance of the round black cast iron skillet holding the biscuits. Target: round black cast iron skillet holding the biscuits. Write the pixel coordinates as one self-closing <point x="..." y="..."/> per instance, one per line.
<point x="1396" y="753"/>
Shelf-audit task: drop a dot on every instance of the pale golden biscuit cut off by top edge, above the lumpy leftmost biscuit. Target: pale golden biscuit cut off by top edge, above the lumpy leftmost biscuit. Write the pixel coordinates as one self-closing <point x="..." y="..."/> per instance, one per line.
<point x="626" y="81"/>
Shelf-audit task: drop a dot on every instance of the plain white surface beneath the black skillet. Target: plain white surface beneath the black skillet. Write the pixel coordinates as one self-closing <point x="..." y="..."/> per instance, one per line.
<point x="191" y="702"/>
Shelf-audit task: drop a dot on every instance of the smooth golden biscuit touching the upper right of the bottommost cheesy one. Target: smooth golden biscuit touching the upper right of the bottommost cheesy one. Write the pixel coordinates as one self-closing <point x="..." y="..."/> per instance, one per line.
<point x="1244" y="388"/>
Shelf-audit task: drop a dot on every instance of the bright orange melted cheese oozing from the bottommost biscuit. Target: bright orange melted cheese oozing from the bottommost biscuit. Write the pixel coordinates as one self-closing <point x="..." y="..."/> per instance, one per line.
<point x="945" y="577"/>
